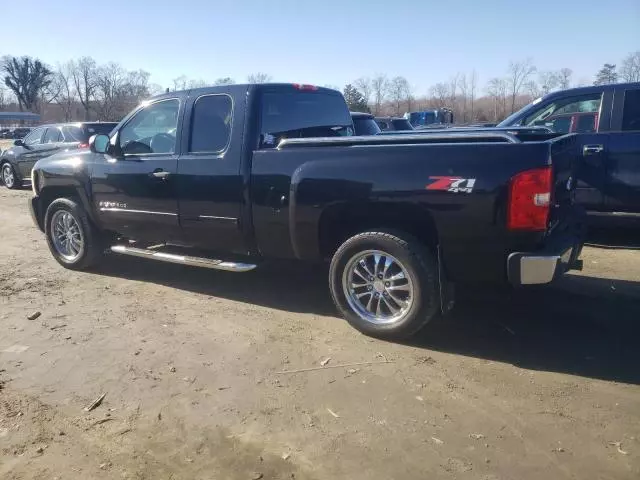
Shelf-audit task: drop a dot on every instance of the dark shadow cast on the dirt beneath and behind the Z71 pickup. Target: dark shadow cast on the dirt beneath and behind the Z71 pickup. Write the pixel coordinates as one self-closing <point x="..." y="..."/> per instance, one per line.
<point x="582" y="325"/>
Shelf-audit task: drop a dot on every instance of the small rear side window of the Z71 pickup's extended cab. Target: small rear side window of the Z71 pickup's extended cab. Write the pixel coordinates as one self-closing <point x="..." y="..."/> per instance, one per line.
<point x="211" y="123"/>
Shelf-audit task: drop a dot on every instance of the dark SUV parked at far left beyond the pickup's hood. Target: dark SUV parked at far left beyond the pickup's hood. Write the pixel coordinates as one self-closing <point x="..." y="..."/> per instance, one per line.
<point x="16" y="162"/>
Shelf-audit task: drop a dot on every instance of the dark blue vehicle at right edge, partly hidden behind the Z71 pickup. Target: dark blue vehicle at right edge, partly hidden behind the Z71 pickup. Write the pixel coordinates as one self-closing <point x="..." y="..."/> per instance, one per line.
<point x="606" y="119"/>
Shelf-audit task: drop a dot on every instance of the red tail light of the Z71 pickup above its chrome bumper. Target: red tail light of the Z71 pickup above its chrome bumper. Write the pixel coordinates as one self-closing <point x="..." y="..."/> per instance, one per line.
<point x="530" y="200"/>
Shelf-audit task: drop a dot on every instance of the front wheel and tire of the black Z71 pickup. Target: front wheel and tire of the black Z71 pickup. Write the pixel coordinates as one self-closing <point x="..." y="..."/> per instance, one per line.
<point x="86" y="243"/>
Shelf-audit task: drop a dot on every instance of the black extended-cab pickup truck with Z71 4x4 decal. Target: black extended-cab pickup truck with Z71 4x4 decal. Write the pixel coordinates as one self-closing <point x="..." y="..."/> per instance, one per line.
<point x="228" y="176"/>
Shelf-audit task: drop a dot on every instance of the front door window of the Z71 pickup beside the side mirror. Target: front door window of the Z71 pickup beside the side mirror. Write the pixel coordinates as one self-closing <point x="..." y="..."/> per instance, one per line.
<point x="152" y="129"/>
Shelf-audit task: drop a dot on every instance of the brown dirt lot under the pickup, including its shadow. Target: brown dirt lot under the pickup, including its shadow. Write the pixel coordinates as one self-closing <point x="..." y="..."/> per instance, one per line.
<point x="539" y="384"/>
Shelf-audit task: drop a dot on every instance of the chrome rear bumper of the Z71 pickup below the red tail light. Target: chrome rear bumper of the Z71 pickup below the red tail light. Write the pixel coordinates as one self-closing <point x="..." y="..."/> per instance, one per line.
<point x="535" y="268"/>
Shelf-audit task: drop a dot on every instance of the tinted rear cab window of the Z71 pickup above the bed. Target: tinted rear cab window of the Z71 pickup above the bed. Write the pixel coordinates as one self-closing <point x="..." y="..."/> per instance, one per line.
<point x="304" y="113"/>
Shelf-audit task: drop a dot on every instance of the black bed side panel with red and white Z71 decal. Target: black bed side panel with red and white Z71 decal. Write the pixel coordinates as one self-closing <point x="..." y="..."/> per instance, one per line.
<point x="470" y="225"/>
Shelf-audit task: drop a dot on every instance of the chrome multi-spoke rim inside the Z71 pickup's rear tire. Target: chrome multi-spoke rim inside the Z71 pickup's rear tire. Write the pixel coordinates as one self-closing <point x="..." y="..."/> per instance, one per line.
<point x="378" y="287"/>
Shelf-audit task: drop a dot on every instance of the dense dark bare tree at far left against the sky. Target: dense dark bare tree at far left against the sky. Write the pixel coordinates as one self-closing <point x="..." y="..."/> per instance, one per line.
<point x="27" y="79"/>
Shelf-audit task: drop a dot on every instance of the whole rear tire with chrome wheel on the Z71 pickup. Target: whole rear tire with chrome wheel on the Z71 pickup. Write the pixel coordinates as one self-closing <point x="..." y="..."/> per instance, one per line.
<point x="416" y="298"/>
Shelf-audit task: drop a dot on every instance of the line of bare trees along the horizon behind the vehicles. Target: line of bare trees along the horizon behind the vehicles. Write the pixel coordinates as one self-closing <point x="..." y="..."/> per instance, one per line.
<point x="82" y="89"/>
